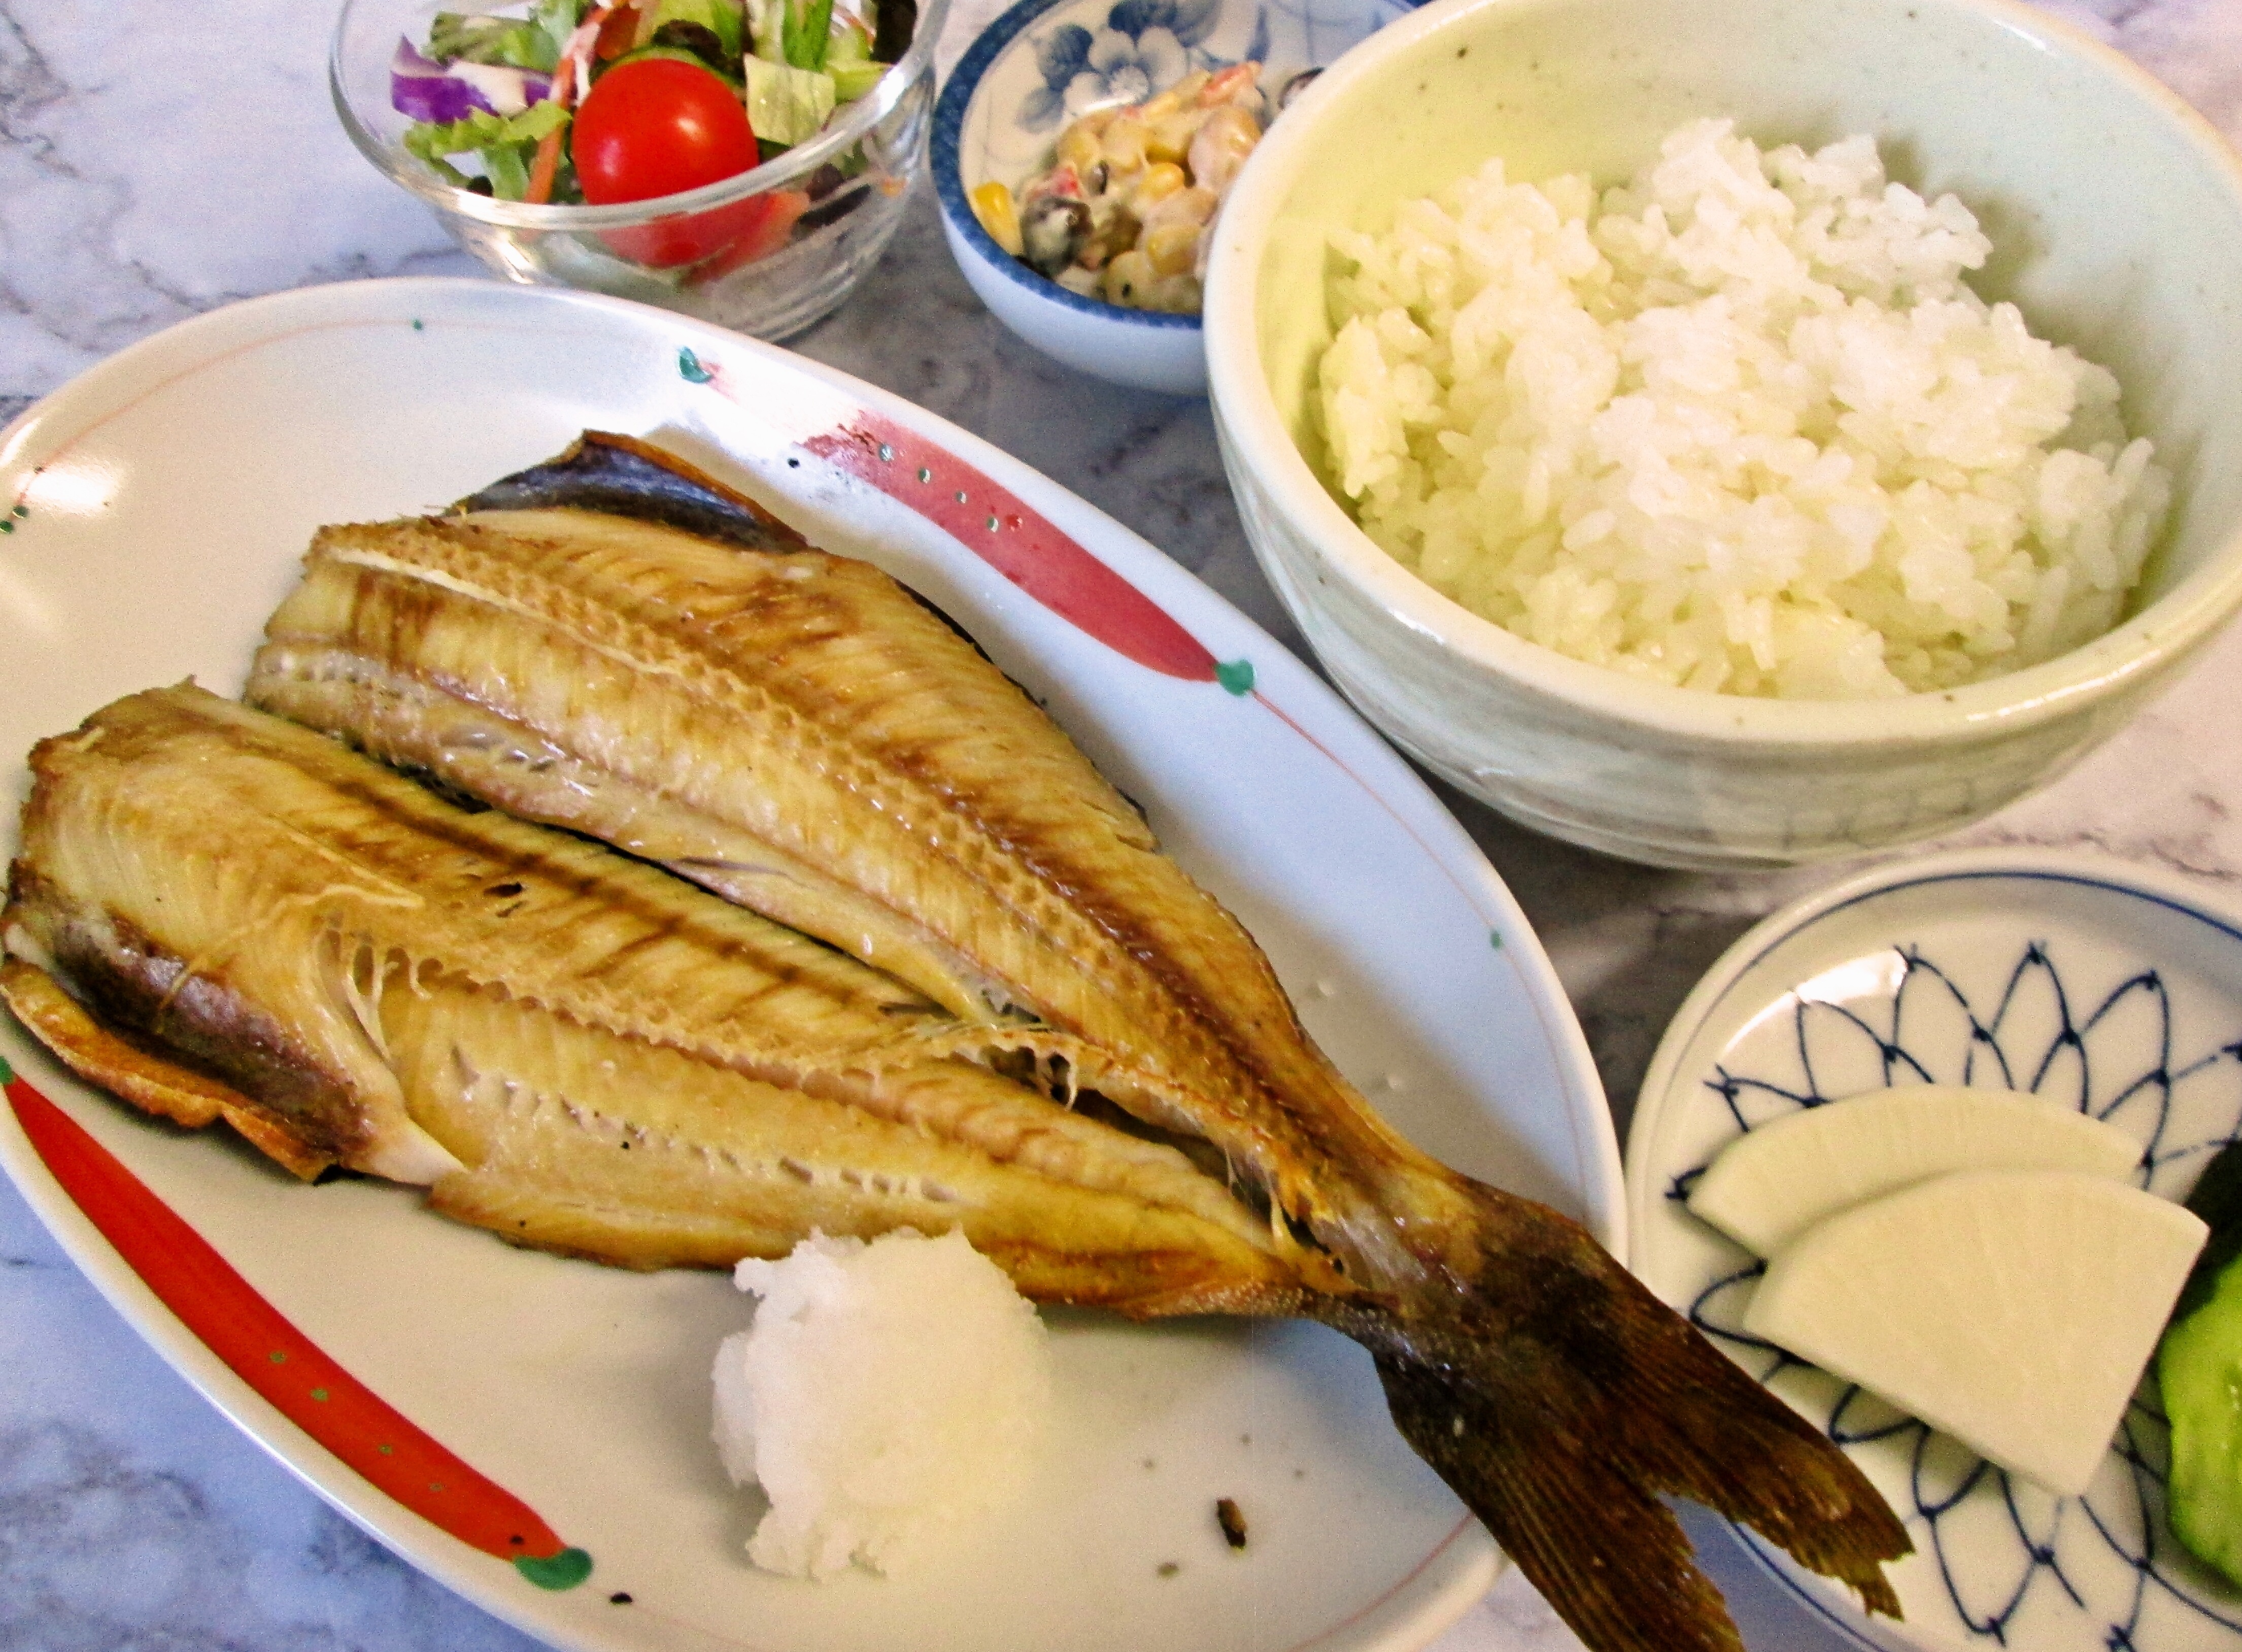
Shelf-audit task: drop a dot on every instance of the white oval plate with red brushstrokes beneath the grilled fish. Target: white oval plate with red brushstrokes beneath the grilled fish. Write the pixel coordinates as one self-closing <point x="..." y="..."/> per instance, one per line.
<point x="165" y="501"/>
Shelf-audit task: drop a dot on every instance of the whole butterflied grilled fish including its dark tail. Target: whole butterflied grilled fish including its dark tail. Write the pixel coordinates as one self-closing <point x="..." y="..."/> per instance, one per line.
<point x="1028" y="1021"/>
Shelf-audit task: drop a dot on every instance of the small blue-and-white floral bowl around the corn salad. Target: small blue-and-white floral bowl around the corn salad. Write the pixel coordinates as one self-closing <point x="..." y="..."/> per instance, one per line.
<point x="1048" y="62"/>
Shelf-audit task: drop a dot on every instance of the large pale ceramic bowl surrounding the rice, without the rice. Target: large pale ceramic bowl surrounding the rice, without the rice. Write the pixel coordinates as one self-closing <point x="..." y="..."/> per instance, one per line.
<point x="2118" y="228"/>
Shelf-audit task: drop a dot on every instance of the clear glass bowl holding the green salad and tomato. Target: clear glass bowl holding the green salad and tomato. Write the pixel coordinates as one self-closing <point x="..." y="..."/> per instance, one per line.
<point x="768" y="252"/>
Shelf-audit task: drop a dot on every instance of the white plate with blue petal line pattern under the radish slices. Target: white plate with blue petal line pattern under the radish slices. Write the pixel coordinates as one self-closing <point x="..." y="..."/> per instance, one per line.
<point x="2100" y="985"/>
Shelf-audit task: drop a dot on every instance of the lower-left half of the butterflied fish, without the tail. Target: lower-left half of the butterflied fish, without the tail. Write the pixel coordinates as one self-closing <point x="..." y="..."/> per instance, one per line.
<point x="566" y="1046"/>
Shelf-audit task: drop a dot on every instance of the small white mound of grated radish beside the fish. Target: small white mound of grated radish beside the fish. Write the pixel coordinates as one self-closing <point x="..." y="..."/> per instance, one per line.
<point x="884" y="1393"/>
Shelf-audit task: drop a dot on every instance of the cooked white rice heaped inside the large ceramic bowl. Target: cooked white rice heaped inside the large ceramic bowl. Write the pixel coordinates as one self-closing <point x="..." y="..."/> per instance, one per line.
<point x="1736" y="427"/>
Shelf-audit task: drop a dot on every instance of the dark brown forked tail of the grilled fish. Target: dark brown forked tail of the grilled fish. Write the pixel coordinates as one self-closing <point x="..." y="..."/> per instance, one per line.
<point x="1562" y="1402"/>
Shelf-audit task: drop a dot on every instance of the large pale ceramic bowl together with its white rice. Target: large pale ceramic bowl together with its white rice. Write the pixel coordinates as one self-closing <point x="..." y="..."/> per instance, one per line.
<point x="1739" y="431"/>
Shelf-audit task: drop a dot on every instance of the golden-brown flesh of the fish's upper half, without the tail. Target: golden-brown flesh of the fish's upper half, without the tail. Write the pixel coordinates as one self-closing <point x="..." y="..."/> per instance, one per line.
<point x="804" y="736"/>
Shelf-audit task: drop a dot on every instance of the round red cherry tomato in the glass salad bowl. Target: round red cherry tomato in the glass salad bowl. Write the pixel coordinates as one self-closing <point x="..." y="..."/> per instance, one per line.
<point x="660" y="127"/>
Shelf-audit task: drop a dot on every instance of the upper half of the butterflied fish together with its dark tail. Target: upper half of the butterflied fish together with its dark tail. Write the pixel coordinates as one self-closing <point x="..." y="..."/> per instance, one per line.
<point x="804" y="736"/>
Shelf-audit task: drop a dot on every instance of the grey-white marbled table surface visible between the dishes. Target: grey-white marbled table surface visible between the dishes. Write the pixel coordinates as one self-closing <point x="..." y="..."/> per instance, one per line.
<point x="163" y="160"/>
